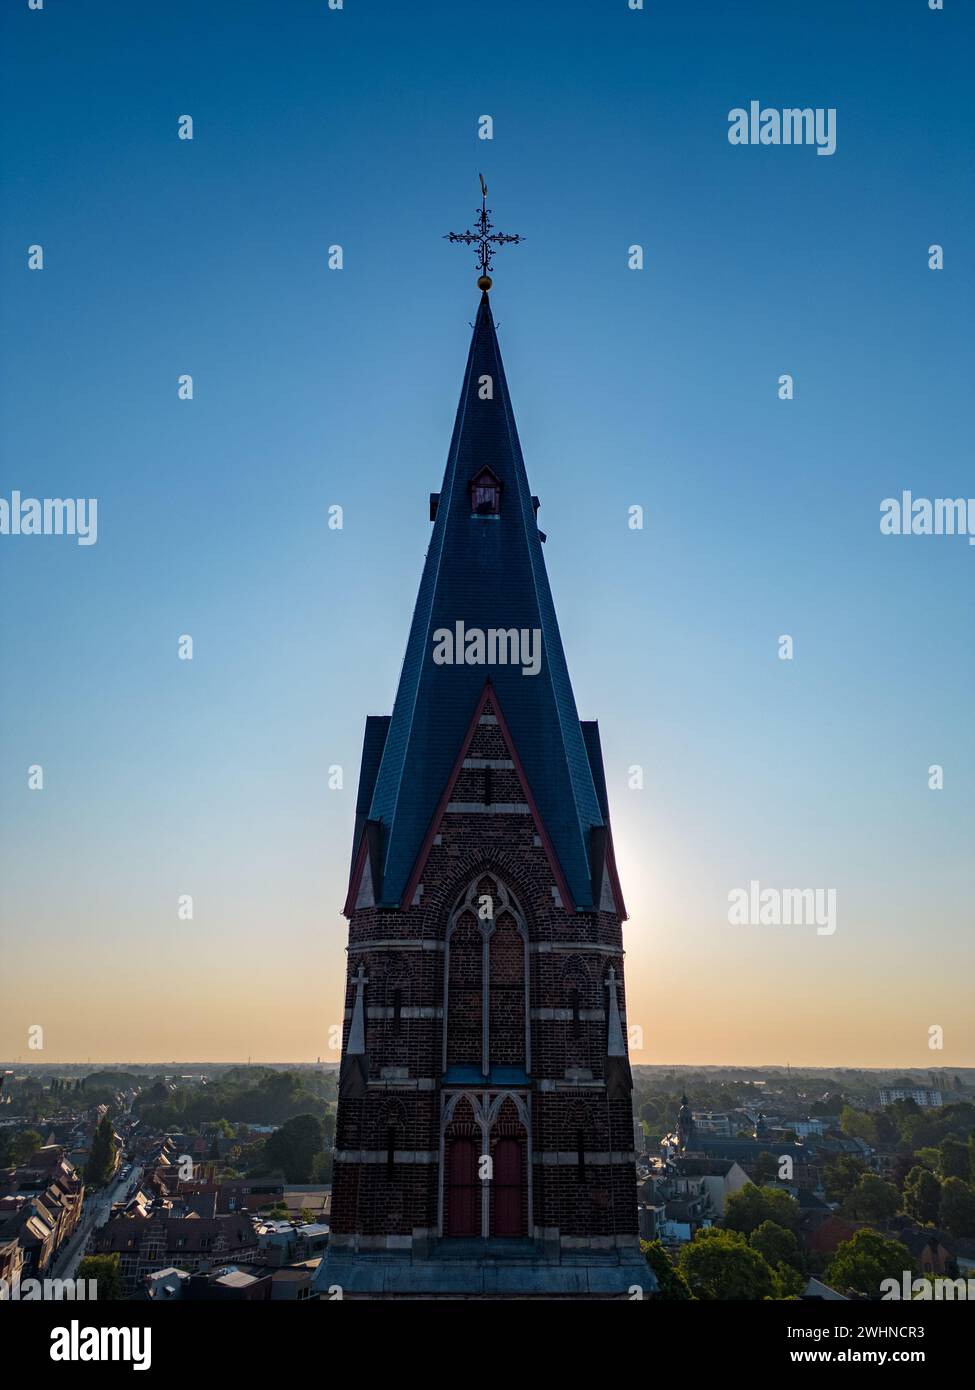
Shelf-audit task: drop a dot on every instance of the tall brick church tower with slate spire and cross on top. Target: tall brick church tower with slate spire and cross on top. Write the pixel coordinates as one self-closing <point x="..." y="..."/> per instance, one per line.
<point x="485" y="1134"/>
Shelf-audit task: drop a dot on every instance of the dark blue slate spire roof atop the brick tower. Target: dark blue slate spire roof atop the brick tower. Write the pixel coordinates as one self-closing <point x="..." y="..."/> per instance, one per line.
<point x="486" y="572"/>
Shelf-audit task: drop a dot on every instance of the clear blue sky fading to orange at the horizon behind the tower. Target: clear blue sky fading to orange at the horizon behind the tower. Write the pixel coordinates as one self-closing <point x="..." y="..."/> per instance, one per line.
<point x="312" y="389"/>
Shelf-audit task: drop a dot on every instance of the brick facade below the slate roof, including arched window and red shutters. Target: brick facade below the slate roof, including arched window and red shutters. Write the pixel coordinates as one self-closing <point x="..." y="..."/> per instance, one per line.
<point x="449" y="1088"/>
